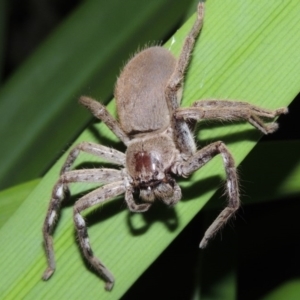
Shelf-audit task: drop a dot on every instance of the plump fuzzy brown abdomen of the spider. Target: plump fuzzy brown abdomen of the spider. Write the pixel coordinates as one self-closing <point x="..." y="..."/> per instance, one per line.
<point x="140" y="91"/>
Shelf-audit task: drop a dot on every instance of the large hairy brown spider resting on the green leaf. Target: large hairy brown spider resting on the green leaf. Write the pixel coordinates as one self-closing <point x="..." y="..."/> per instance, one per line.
<point x="160" y="145"/>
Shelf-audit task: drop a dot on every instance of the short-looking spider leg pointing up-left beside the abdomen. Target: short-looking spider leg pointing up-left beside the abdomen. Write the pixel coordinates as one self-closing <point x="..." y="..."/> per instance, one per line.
<point x="100" y="112"/>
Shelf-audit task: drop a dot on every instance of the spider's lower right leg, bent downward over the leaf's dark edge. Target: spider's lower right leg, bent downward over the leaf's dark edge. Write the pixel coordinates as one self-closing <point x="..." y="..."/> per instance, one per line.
<point x="199" y="159"/>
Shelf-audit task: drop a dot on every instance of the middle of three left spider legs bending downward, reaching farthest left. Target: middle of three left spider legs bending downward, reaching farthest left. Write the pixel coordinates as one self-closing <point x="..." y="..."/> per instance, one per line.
<point x="97" y="175"/>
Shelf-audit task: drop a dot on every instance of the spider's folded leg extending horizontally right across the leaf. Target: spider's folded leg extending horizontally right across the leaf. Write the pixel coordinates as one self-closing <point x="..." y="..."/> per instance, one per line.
<point x="228" y="110"/>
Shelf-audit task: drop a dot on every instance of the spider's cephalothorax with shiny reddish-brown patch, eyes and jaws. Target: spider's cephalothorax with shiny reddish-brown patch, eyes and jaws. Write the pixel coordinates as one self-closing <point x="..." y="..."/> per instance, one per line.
<point x="149" y="167"/>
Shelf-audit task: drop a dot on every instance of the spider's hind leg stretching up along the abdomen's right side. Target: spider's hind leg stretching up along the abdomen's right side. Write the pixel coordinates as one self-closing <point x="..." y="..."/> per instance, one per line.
<point x="173" y="91"/>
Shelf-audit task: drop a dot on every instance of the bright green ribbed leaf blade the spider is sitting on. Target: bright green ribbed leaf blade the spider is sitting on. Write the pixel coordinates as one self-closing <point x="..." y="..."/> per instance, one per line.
<point x="247" y="51"/>
